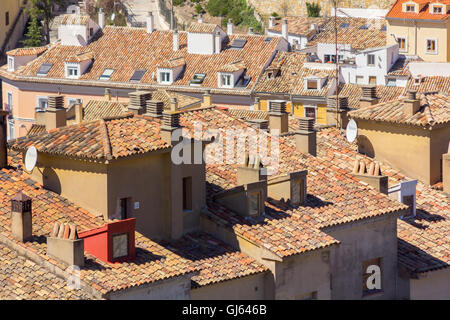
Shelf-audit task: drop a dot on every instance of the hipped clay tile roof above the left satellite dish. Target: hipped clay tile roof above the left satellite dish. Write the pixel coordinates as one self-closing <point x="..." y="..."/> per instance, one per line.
<point x="100" y="139"/>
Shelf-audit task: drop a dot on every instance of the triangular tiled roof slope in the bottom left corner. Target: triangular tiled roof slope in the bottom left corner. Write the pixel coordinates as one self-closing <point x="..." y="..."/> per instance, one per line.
<point x="23" y="279"/>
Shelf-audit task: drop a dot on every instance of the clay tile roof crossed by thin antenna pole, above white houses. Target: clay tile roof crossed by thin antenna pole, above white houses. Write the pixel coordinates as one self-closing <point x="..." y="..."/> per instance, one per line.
<point x="355" y="34"/>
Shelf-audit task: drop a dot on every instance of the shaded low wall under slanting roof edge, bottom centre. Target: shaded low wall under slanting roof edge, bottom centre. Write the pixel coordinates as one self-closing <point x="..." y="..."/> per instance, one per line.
<point x="245" y="288"/>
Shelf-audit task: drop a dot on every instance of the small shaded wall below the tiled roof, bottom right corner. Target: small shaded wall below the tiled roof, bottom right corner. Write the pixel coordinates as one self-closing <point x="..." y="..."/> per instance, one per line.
<point x="433" y="285"/>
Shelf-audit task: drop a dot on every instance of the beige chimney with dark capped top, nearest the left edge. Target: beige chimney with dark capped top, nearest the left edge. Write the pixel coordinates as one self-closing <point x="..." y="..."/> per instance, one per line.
<point x="21" y="224"/>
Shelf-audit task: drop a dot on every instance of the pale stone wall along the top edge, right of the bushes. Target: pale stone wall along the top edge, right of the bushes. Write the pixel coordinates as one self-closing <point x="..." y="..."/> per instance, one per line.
<point x="295" y="7"/>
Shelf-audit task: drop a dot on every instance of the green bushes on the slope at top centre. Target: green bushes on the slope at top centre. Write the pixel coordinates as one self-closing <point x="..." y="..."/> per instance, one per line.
<point x="237" y="10"/>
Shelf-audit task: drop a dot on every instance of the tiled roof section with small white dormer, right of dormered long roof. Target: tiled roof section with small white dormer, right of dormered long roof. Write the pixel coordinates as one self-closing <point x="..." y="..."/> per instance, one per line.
<point x="292" y="73"/>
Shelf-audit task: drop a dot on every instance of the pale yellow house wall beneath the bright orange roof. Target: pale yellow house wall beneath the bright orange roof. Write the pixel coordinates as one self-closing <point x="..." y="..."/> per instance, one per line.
<point x="425" y="30"/>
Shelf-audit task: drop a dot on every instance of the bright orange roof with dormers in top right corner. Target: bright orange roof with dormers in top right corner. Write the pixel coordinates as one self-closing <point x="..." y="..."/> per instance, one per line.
<point x="396" y="11"/>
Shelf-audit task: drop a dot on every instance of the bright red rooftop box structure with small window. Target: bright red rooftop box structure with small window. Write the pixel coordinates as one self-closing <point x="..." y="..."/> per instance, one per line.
<point x="113" y="242"/>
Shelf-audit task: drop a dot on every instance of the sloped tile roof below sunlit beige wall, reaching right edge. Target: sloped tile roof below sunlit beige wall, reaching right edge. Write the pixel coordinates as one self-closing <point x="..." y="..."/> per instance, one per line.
<point x="423" y="241"/>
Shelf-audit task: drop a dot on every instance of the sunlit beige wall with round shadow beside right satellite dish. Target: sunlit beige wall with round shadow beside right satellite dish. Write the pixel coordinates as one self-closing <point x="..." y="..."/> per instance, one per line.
<point x="406" y="148"/>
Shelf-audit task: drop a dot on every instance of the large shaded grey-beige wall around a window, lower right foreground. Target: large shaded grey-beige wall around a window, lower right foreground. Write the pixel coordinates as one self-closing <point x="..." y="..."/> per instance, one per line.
<point x="361" y="241"/>
